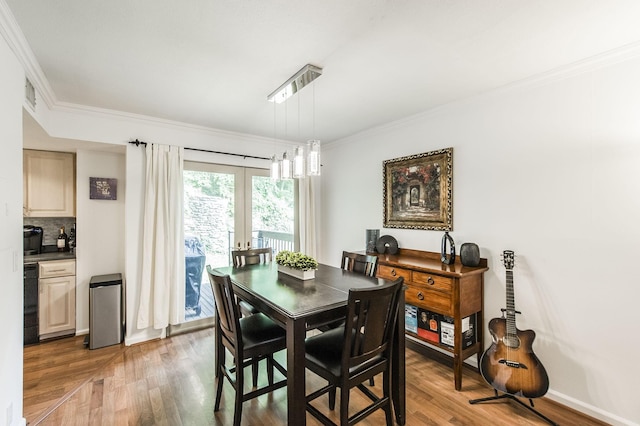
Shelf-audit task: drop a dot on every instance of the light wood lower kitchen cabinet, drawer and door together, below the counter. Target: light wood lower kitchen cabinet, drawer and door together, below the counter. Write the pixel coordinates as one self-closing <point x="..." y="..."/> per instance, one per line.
<point x="57" y="298"/>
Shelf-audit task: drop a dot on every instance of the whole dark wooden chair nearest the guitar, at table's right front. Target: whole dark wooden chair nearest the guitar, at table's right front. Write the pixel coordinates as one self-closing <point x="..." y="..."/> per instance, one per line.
<point x="347" y="356"/>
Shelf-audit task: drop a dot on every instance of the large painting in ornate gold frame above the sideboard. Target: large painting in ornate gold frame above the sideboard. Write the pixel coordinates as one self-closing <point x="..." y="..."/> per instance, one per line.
<point x="418" y="191"/>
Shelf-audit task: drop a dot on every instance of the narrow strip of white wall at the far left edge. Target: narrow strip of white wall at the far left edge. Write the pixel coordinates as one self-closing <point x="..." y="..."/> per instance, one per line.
<point x="11" y="302"/>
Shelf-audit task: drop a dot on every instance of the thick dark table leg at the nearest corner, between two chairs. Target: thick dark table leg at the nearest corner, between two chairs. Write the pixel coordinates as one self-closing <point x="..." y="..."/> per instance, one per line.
<point x="296" y="406"/>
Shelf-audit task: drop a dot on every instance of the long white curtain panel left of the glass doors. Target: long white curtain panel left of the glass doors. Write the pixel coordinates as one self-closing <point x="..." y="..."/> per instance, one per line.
<point x="162" y="280"/>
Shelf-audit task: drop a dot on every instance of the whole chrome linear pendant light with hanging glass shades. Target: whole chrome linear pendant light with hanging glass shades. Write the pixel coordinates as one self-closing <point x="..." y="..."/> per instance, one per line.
<point x="302" y="165"/>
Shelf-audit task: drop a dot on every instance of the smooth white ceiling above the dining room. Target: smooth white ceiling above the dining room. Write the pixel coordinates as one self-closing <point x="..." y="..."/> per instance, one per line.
<point x="212" y="63"/>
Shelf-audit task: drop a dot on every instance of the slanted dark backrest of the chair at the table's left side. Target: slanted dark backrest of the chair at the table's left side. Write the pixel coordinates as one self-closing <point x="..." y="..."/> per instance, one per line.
<point x="226" y="308"/>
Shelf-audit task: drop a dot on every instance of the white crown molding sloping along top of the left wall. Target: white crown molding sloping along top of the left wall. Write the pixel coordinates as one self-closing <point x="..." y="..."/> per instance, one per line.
<point x="14" y="37"/>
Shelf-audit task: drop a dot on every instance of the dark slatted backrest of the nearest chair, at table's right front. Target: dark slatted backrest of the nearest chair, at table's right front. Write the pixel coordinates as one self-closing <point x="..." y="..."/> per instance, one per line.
<point x="371" y="321"/>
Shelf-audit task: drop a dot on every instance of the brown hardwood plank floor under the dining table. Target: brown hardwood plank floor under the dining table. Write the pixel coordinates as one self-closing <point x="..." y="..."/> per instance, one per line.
<point x="170" y="382"/>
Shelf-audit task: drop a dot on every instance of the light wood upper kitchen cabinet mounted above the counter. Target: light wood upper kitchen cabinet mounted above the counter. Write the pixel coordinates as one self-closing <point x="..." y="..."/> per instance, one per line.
<point x="48" y="184"/>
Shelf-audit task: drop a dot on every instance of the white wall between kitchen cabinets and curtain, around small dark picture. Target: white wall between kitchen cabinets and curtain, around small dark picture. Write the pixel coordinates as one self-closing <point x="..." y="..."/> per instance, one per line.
<point x="100" y="227"/>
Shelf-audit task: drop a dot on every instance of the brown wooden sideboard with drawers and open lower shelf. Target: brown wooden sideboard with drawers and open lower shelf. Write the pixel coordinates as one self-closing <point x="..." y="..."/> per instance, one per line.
<point x="451" y="292"/>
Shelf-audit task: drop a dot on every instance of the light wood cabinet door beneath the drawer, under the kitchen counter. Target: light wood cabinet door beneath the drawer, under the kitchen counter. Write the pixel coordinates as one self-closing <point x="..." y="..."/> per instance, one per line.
<point x="57" y="305"/>
